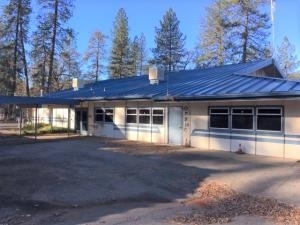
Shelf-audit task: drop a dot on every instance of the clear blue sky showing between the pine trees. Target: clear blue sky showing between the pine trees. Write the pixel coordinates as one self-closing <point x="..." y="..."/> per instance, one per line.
<point x="144" y="16"/>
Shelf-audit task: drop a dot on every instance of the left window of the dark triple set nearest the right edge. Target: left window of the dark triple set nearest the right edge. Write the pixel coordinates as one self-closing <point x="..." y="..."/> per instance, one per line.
<point x="219" y="117"/>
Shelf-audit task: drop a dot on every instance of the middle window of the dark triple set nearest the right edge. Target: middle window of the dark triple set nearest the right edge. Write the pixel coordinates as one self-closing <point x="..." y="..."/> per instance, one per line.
<point x="242" y="118"/>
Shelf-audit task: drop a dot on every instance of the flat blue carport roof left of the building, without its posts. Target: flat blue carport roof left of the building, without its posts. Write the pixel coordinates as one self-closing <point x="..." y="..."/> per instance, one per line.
<point x="36" y="101"/>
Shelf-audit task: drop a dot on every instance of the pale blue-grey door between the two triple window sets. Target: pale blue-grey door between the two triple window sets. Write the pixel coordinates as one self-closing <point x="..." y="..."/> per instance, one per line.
<point x="175" y="125"/>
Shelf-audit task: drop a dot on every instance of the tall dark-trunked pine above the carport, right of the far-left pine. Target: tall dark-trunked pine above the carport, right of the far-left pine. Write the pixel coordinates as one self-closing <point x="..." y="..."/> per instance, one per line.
<point x="49" y="38"/>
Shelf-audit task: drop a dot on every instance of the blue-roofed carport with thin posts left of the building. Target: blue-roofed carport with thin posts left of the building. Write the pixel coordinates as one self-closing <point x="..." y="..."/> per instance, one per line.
<point x="35" y="103"/>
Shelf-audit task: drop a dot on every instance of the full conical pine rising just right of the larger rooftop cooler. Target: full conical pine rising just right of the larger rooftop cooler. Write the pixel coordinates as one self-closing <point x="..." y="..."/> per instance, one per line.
<point x="169" y="50"/>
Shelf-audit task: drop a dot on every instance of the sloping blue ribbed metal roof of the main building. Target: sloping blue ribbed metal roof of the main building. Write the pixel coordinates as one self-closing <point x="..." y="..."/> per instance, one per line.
<point x="224" y="82"/>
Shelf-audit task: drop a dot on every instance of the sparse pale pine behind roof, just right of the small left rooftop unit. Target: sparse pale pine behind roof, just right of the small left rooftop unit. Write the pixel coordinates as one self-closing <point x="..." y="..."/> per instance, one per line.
<point x="95" y="54"/>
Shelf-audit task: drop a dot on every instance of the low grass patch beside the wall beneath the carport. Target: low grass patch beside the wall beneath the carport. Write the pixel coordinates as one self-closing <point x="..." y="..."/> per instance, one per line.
<point x="42" y="128"/>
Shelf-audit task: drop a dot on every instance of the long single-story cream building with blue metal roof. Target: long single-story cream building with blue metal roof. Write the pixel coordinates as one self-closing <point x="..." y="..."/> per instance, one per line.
<point x="248" y="106"/>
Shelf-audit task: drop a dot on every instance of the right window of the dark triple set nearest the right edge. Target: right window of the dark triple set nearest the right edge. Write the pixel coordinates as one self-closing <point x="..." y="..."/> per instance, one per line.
<point x="269" y="119"/>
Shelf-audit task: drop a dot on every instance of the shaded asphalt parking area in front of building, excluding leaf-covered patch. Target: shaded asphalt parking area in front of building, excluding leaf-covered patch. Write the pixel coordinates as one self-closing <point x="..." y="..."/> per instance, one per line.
<point x="88" y="180"/>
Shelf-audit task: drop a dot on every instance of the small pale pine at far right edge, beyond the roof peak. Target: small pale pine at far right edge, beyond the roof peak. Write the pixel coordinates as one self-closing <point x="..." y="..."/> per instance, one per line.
<point x="286" y="58"/>
